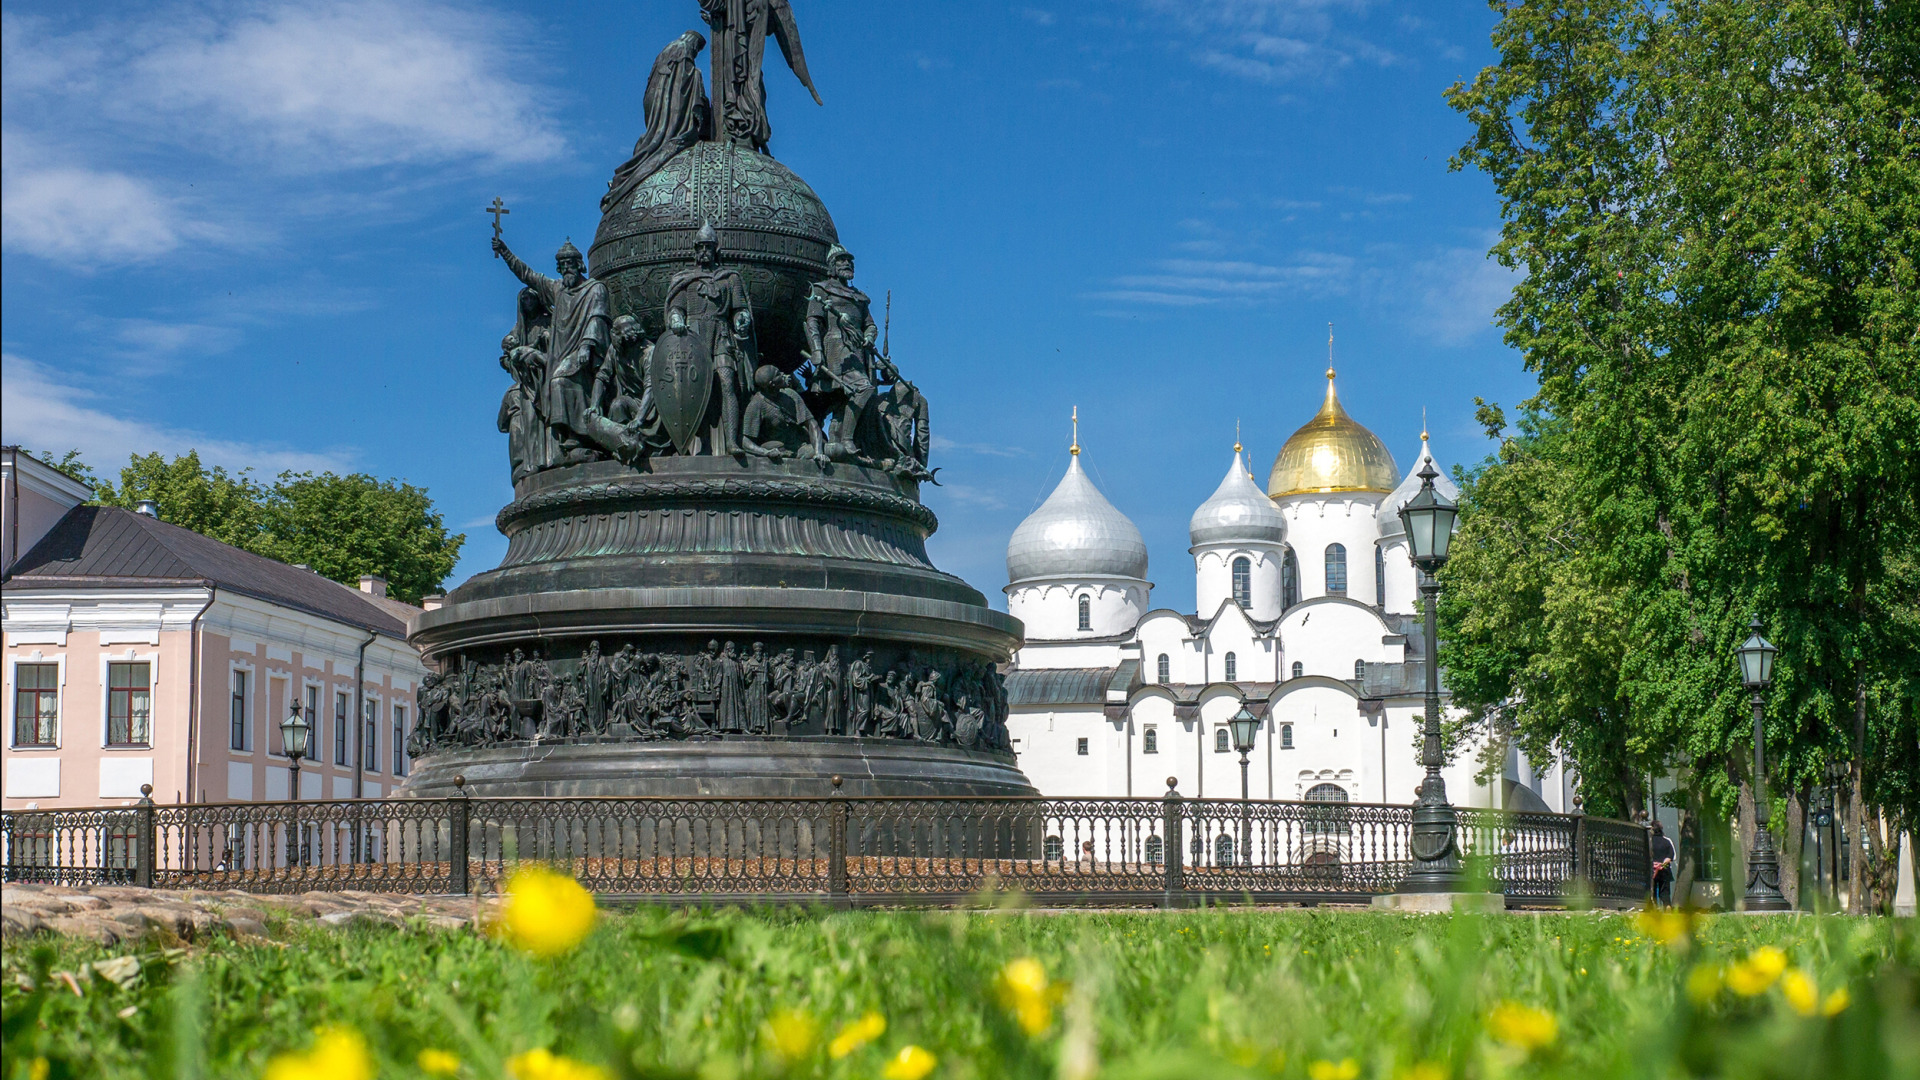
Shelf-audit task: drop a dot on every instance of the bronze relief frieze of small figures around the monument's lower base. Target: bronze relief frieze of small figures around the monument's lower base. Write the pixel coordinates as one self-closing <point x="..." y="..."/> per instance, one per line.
<point x="721" y="691"/>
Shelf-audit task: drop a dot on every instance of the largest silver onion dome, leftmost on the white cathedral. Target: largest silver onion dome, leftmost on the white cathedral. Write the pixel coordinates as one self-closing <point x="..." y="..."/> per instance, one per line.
<point x="1076" y="533"/>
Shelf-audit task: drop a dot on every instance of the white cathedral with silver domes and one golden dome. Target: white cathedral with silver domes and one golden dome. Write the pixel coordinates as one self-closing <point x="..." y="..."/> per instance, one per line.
<point x="1307" y="618"/>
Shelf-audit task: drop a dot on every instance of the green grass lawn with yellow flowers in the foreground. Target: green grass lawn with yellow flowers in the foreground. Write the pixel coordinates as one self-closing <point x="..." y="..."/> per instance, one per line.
<point x="1153" y="994"/>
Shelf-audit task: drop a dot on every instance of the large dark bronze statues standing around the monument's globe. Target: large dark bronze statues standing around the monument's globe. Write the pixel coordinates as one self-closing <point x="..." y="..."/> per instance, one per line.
<point x="587" y="385"/>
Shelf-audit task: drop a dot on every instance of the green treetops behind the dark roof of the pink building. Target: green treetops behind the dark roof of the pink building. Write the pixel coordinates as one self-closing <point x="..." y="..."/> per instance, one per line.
<point x="343" y="528"/>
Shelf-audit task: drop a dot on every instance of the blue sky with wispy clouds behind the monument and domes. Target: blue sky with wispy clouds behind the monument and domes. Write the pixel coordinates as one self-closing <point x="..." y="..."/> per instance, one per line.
<point x="256" y="230"/>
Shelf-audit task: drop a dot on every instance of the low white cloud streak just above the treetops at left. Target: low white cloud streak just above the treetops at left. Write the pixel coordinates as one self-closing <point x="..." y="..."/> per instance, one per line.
<point x="45" y="414"/>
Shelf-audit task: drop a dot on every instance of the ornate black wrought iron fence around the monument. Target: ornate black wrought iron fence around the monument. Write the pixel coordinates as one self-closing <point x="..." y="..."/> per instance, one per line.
<point x="830" y="850"/>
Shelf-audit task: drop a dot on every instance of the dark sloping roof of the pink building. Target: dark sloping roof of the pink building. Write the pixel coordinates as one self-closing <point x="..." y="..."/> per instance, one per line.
<point x="112" y="547"/>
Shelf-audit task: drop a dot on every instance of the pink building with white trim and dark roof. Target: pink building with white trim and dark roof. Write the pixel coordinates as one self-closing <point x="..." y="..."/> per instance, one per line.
<point x="139" y="652"/>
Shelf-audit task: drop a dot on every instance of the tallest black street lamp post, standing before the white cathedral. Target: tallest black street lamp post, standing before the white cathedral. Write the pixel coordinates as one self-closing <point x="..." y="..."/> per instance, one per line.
<point x="1435" y="843"/>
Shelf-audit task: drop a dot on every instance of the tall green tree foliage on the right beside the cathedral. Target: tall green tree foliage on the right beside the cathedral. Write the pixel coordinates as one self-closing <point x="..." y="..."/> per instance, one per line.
<point x="1717" y="210"/>
